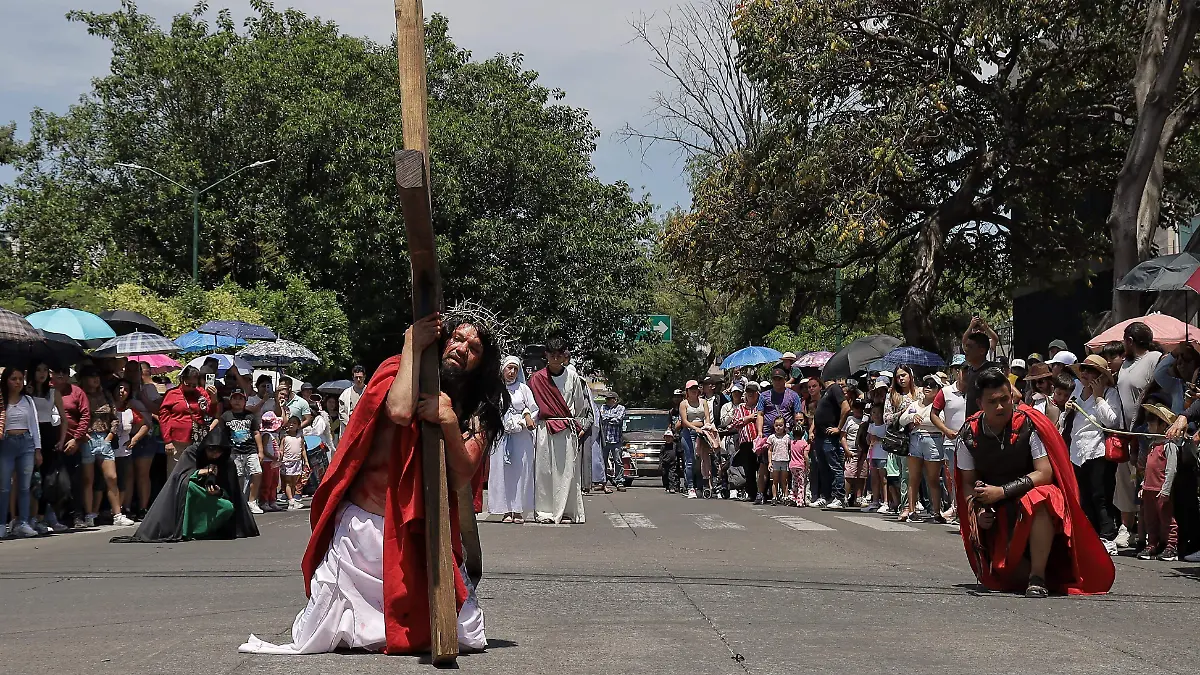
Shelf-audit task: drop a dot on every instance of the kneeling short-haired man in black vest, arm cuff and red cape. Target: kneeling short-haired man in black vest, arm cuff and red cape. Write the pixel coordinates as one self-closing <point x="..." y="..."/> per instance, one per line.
<point x="1022" y="522"/>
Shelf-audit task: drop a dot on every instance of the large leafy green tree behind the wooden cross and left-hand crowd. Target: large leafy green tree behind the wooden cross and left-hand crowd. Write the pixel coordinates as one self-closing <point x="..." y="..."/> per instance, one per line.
<point x="525" y="226"/>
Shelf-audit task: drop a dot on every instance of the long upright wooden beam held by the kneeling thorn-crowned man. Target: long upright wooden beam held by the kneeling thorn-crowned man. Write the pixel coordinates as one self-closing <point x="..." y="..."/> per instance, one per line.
<point x="413" y="182"/>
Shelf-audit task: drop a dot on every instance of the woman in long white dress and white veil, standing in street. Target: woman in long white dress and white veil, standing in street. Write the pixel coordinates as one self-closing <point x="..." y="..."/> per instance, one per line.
<point x="511" y="482"/>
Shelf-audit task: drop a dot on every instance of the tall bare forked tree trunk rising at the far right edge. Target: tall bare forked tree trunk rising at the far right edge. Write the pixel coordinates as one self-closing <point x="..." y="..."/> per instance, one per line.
<point x="1144" y="150"/>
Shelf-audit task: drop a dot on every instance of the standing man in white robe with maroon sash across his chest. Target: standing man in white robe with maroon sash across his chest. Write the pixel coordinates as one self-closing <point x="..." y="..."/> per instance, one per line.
<point x="557" y="452"/>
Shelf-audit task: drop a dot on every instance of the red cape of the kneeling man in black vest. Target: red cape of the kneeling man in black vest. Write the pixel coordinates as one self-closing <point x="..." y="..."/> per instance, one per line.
<point x="1078" y="565"/>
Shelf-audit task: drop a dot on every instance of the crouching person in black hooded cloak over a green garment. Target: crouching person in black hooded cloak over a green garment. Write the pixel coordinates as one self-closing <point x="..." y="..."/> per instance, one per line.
<point x="196" y="501"/>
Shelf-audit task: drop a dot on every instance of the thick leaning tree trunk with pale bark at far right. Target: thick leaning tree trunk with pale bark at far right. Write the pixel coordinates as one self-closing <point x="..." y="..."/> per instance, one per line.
<point x="1163" y="115"/>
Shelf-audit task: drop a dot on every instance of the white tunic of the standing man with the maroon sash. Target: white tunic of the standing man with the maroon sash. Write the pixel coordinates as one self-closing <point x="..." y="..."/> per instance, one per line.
<point x="557" y="493"/>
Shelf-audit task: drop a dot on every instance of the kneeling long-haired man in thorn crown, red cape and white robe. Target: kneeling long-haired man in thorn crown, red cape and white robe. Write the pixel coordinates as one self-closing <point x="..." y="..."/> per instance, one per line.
<point x="365" y="569"/>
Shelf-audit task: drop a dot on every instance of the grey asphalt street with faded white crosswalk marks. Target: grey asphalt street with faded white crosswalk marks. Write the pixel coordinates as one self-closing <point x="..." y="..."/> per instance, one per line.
<point x="652" y="583"/>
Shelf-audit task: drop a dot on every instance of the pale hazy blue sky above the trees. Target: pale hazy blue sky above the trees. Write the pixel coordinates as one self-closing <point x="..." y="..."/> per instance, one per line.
<point x="584" y="47"/>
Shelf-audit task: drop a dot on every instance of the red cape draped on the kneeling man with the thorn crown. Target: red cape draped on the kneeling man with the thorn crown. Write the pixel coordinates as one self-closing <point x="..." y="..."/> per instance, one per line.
<point x="406" y="605"/>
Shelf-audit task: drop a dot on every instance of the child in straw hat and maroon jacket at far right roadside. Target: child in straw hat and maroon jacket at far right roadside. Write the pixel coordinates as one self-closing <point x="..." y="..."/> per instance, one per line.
<point x="1157" y="507"/>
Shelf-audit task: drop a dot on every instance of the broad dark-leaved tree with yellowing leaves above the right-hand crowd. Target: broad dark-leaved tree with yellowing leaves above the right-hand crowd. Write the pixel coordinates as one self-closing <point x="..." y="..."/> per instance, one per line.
<point x="934" y="135"/>
